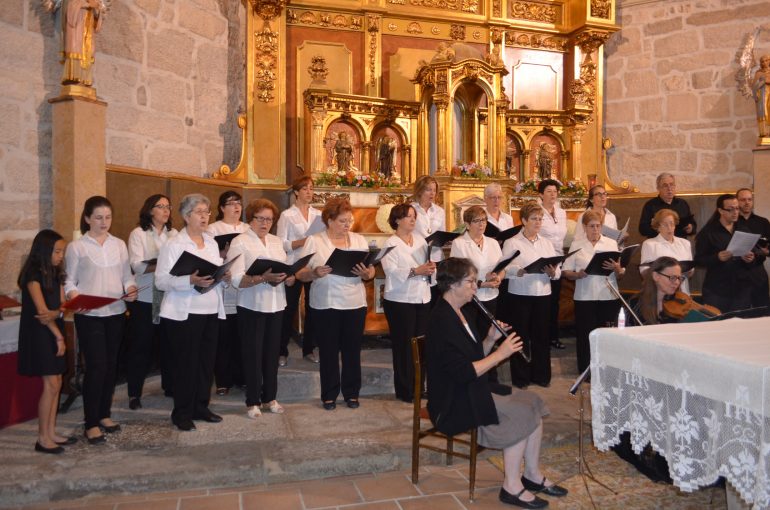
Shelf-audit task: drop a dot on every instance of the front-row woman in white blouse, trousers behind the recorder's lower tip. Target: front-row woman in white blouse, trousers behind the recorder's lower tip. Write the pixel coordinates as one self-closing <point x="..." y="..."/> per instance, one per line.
<point x="530" y="296"/>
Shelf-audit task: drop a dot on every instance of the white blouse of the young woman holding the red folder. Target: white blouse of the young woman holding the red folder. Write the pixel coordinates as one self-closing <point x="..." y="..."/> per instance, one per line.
<point x="99" y="270"/>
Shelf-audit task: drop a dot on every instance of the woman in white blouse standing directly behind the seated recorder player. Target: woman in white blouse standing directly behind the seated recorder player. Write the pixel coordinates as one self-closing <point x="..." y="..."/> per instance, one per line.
<point x="485" y="253"/>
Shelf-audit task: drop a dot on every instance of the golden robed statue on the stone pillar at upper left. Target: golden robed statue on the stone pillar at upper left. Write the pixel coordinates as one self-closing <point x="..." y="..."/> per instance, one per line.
<point x="78" y="21"/>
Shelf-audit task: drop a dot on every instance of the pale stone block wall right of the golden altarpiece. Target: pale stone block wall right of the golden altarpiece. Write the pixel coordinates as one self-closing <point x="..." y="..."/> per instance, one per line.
<point x="671" y="101"/>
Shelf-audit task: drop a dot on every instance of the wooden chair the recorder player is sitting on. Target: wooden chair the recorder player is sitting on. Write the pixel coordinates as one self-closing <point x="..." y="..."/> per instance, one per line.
<point x="418" y="433"/>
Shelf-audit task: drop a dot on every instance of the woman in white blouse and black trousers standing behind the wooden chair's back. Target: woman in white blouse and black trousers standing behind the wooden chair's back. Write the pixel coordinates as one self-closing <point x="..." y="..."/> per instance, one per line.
<point x="407" y="294"/>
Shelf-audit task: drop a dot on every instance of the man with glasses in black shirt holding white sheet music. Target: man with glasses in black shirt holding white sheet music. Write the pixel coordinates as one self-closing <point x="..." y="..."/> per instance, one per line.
<point x="728" y="281"/>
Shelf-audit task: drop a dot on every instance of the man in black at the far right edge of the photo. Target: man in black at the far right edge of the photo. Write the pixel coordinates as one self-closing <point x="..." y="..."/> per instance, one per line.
<point x="760" y="295"/>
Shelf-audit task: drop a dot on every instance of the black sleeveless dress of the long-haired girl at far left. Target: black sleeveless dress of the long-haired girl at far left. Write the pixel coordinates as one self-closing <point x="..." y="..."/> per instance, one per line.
<point x="37" y="345"/>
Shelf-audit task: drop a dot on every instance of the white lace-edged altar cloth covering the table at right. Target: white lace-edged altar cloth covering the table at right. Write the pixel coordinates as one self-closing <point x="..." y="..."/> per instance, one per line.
<point x="700" y="393"/>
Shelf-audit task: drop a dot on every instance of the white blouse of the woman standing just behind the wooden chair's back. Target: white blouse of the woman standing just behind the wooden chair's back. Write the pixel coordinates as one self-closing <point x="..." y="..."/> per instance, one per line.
<point x="397" y="264"/>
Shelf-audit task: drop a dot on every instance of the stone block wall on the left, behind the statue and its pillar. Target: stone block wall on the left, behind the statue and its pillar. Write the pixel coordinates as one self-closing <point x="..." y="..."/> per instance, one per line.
<point x="171" y="72"/>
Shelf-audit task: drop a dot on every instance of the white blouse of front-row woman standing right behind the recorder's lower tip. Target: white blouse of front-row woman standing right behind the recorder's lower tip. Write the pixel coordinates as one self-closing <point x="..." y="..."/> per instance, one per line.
<point x="529" y="284"/>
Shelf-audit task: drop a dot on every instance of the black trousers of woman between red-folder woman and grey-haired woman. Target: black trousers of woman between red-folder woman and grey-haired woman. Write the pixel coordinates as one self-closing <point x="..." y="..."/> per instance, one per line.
<point x="146" y="343"/>
